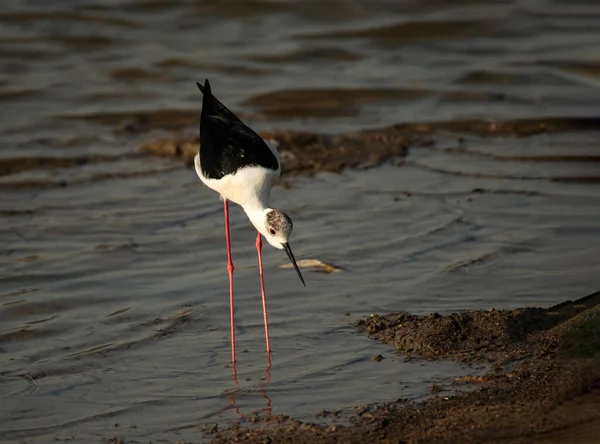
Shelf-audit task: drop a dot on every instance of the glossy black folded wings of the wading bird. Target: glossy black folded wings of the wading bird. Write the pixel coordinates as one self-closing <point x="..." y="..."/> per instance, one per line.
<point x="226" y="143"/>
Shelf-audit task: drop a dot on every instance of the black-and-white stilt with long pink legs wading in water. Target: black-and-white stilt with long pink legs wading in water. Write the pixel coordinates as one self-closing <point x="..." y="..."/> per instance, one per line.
<point x="237" y="163"/>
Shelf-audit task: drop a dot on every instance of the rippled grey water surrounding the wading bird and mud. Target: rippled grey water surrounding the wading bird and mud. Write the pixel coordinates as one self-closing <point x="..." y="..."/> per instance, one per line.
<point x="113" y="288"/>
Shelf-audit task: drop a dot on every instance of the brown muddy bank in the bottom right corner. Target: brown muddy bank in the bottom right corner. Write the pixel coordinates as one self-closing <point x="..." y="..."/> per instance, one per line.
<point x="543" y="384"/>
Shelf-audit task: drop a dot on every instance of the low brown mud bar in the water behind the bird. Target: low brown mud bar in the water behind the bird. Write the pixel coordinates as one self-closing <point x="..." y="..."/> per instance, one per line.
<point x="308" y="153"/>
